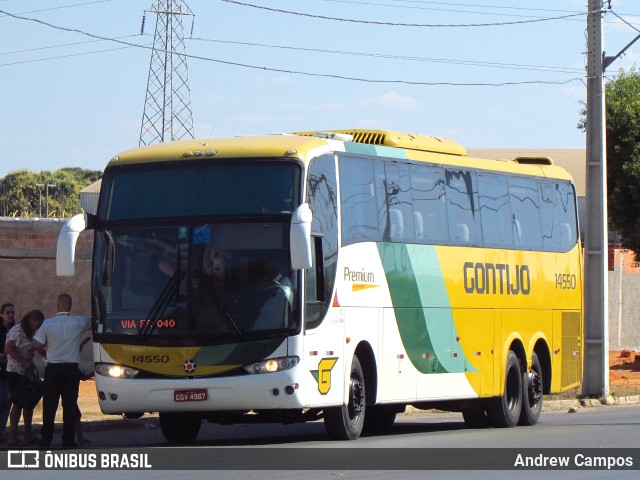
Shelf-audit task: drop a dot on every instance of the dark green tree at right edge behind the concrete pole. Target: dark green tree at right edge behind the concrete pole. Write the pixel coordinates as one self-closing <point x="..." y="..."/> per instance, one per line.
<point x="623" y="156"/>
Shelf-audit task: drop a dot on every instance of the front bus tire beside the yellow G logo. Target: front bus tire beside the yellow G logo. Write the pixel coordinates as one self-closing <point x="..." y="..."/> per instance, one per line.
<point x="346" y="422"/>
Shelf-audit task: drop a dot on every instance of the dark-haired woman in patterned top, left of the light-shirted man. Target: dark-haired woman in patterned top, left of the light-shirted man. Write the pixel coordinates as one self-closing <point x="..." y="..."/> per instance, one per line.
<point x="19" y="348"/>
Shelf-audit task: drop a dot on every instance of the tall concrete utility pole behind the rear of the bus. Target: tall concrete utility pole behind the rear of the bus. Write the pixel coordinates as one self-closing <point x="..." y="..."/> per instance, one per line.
<point x="596" y="294"/>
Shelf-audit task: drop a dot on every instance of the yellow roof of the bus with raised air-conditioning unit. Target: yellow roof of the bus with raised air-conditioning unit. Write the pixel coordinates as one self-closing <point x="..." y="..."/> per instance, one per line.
<point x="306" y="145"/>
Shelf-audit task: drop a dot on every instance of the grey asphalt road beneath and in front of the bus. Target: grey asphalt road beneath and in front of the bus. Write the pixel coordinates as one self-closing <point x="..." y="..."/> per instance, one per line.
<point x="613" y="427"/>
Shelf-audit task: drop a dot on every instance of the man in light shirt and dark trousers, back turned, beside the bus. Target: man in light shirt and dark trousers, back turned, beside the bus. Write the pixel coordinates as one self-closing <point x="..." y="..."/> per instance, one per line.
<point x="59" y="338"/>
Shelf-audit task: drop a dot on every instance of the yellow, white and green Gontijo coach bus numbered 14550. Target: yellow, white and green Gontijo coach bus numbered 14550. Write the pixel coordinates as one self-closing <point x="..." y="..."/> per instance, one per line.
<point x="340" y="275"/>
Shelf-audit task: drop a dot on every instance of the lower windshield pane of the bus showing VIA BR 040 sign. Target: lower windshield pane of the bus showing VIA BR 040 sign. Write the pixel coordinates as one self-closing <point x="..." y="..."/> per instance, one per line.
<point x="207" y="282"/>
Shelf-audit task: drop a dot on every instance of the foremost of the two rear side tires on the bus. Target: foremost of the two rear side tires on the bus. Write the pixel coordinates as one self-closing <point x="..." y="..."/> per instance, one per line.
<point x="505" y="409"/>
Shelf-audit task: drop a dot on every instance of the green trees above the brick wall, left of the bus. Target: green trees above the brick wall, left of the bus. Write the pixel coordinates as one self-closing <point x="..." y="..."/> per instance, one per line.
<point x="21" y="196"/>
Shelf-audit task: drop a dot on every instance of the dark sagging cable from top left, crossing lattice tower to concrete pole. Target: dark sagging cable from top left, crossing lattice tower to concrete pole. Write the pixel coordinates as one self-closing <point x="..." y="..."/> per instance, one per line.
<point x="303" y="73"/>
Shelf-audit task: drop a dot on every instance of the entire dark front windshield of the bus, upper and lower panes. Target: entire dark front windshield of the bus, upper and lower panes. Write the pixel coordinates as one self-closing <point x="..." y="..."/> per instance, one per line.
<point x="197" y="251"/>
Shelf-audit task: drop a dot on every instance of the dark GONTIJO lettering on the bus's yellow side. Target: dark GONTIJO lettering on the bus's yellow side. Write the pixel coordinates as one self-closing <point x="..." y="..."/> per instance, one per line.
<point x="498" y="278"/>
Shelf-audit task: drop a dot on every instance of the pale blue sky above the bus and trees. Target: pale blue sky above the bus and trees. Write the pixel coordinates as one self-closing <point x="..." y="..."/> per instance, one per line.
<point x="68" y="99"/>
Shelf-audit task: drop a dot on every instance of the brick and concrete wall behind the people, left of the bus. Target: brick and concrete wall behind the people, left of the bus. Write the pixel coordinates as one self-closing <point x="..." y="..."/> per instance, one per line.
<point x="28" y="268"/>
